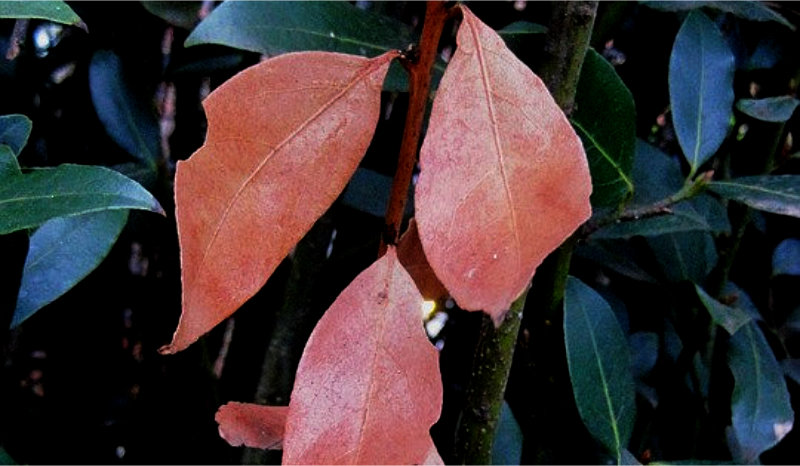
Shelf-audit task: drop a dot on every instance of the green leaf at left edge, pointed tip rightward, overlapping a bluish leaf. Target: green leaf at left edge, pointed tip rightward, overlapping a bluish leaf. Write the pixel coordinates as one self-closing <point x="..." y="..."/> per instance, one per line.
<point x="33" y="198"/>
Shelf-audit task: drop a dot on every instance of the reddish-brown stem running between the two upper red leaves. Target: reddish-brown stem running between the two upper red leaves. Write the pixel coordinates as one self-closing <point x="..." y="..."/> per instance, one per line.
<point x="419" y="69"/>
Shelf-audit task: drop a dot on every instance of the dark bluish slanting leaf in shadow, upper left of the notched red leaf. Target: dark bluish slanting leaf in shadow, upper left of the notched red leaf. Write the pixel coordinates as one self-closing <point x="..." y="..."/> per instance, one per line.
<point x="126" y="118"/>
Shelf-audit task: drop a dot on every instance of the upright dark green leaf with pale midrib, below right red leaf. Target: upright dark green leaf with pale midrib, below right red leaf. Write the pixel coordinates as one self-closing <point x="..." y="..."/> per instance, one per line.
<point x="599" y="367"/>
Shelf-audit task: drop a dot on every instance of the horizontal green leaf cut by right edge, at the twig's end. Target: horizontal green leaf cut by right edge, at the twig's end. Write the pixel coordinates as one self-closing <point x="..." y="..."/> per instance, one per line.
<point x="779" y="194"/>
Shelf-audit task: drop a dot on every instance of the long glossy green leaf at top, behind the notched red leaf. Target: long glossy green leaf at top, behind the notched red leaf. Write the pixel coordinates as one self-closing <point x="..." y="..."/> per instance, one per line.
<point x="277" y="27"/>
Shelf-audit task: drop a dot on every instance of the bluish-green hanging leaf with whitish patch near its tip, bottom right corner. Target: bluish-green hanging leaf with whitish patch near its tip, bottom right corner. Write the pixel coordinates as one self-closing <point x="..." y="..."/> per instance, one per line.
<point x="760" y="407"/>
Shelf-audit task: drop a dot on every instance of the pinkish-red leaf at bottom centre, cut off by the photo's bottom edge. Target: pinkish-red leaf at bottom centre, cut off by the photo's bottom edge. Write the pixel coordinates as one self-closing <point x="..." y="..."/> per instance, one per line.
<point x="368" y="387"/>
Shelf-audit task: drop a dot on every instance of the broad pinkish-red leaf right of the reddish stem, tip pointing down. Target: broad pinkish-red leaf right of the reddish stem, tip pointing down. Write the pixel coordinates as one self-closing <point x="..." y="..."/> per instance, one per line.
<point x="504" y="178"/>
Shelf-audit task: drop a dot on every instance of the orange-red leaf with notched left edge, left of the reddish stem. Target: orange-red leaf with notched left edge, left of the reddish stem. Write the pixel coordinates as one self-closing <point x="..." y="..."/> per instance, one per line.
<point x="284" y="137"/>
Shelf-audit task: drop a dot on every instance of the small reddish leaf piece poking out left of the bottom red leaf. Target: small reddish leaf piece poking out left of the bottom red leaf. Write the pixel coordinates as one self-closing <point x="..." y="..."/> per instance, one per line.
<point x="252" y="425"/>
